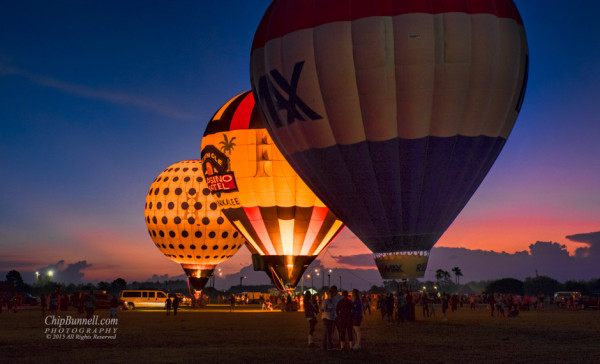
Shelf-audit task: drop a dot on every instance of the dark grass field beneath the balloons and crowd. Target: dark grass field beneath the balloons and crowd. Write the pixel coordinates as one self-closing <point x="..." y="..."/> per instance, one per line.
<point x="215" y="335"/>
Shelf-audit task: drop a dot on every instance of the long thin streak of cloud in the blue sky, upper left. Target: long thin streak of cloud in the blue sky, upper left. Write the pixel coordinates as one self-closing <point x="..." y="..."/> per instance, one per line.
<point x="94" y="94"/>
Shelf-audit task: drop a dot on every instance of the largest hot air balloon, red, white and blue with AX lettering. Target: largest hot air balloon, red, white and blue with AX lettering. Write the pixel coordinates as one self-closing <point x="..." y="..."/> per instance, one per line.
<point x="391" y="111"/>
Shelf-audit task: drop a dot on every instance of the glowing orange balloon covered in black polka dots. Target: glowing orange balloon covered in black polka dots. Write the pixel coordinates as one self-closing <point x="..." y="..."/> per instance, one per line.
<point x="185" y="223"/>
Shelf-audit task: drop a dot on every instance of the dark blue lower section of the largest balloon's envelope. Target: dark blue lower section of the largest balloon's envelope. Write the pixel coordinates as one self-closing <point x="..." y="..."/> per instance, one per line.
<point x="400" y="194"/>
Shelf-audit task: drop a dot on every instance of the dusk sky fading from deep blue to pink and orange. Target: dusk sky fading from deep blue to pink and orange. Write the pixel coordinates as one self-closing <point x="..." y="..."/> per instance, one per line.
<point x="97" y="98"/>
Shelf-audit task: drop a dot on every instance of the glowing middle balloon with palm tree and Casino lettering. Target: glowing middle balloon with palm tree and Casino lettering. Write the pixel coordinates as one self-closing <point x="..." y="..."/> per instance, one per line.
<point x="285" y="225"/>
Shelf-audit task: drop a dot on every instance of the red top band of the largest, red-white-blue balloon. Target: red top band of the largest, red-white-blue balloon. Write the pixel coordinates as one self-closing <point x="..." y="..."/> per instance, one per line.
<point x="287" y="16"/>
